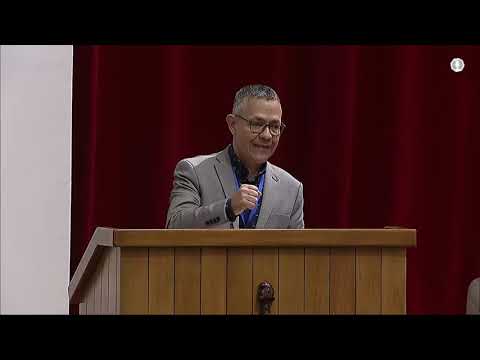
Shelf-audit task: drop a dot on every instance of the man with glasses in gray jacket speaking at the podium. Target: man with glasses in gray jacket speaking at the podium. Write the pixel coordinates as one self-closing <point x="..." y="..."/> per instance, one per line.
<point x="237" y="187"/>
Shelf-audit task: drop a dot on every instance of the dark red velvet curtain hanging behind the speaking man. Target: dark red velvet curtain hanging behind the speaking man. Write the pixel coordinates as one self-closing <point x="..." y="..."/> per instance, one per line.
<point x="379" y="135"/>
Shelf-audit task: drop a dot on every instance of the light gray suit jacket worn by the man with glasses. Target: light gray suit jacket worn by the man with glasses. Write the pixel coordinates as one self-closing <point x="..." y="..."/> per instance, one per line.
<point x="203" y="184"/>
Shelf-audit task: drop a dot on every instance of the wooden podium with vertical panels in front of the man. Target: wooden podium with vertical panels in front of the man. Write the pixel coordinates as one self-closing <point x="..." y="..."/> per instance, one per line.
<point x="312" y="271"/>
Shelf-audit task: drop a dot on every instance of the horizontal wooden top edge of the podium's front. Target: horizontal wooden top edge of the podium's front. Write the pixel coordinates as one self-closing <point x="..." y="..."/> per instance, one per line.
<point x="266" y="238"/>
